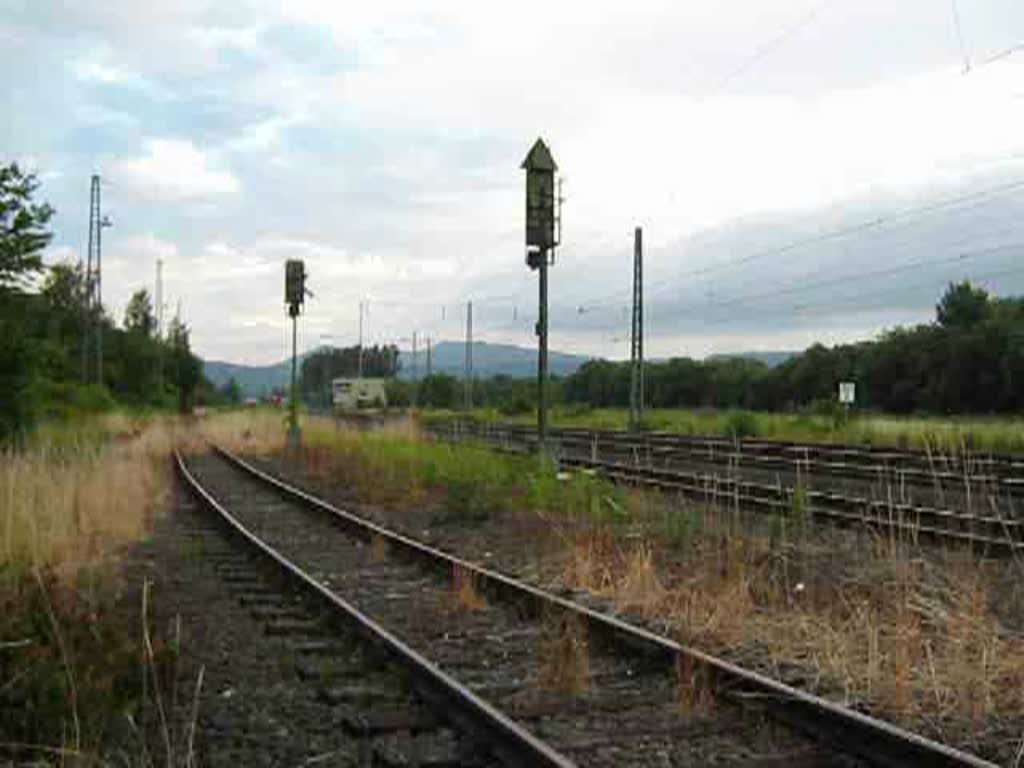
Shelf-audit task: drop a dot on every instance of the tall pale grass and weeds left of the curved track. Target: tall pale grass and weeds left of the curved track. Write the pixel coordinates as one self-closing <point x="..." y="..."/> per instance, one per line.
<point x="72" y="499"/>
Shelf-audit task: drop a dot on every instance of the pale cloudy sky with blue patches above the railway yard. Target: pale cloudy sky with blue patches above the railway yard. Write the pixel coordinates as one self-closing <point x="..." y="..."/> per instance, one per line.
<point x="803" y="170"/>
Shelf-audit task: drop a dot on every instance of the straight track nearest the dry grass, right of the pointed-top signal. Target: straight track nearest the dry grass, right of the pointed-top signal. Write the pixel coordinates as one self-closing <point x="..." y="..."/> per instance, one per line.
<point x="631" y="460"/>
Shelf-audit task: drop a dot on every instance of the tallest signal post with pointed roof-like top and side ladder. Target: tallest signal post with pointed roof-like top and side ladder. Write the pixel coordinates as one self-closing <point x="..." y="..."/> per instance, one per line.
<point x="543" y="234"/>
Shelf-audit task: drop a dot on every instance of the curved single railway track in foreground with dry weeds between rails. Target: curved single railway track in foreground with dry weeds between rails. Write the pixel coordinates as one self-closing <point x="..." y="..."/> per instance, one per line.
<point x="575" y="687"/>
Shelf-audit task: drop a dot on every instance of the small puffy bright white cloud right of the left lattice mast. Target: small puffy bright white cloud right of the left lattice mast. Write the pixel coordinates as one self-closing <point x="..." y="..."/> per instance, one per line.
<point x="176" y="170"/>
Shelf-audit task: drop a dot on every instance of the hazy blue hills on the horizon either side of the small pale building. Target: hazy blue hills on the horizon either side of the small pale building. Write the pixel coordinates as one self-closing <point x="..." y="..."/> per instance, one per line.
<point x="446" y="357"/>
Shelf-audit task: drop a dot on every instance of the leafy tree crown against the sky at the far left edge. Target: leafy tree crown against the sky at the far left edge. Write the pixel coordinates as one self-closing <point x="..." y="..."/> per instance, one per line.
<point x="23" y="230"/>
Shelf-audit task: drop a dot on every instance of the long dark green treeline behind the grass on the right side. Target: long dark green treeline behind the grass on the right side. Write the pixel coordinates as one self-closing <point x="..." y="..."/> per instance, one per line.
<point x="971" y="360"/>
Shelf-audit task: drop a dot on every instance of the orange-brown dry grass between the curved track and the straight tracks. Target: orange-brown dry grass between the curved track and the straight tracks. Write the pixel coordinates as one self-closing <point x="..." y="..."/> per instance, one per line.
<point x="913" y="633"/>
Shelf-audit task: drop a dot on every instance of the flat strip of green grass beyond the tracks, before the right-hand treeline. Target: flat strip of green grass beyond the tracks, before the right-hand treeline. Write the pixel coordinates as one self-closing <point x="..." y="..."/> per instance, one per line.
<point x="953" y="435"/>
